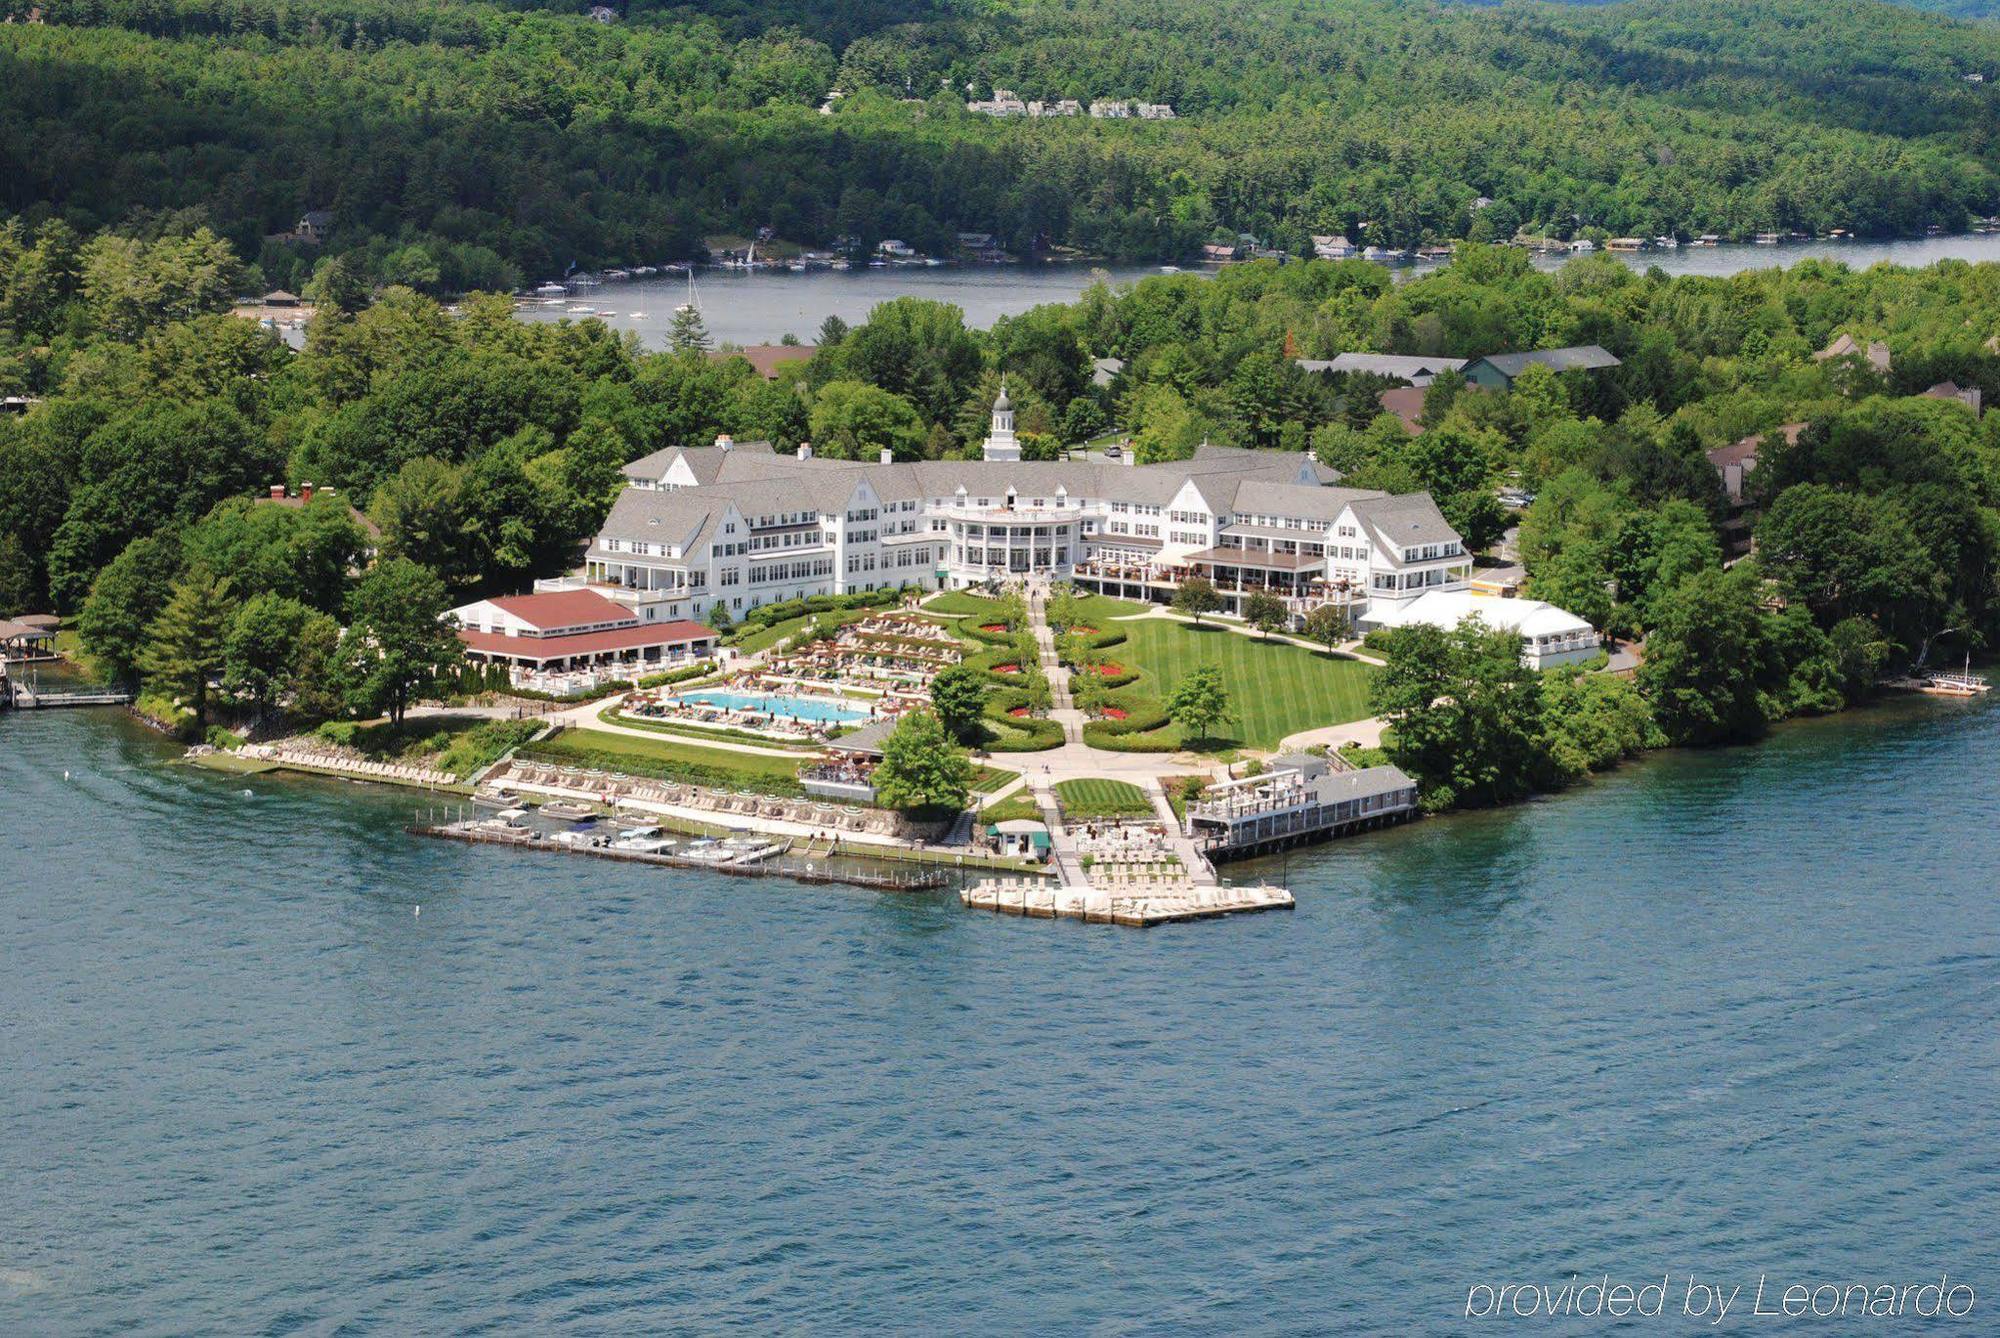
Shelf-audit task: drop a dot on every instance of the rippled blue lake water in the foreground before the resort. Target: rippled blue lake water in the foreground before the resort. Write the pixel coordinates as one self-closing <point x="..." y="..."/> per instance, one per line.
<point x="1731" y="1013"/>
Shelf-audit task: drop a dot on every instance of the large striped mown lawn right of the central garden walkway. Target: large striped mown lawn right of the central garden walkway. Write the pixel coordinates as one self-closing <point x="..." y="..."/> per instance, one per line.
<point x="1275" y="689"/>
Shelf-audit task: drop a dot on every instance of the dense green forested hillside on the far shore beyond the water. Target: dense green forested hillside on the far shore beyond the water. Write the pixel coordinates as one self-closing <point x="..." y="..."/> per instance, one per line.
<point x="471" y="145"/>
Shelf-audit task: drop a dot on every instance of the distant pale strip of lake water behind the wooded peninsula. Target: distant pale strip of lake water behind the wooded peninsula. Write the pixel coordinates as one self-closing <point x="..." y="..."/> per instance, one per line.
<point x="765" y="307"/>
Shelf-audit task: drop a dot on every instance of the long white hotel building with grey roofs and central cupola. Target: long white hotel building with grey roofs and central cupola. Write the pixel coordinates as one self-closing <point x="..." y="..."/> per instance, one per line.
<point x="741" y="525"/>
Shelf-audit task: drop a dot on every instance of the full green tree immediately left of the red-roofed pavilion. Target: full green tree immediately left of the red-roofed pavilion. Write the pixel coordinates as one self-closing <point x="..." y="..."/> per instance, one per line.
<point x="399" y="643"/>
